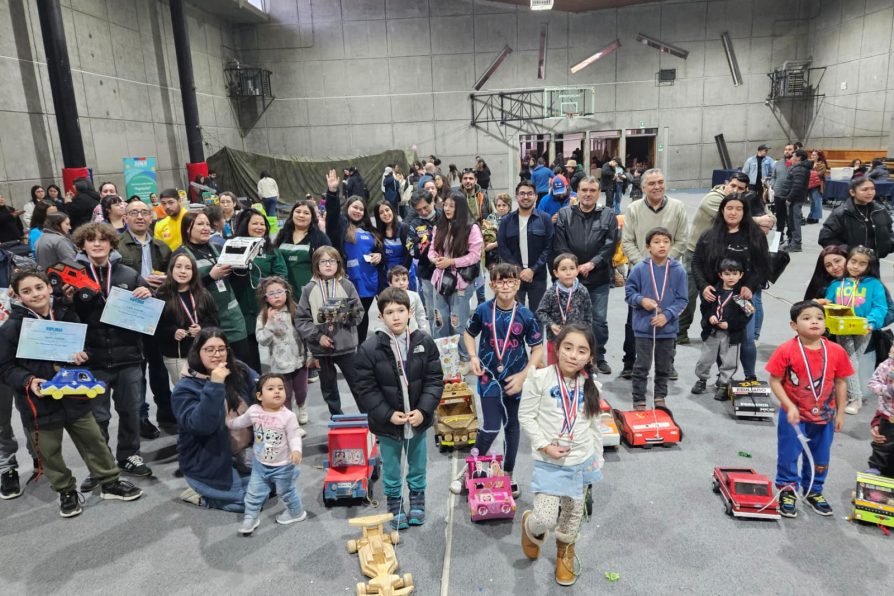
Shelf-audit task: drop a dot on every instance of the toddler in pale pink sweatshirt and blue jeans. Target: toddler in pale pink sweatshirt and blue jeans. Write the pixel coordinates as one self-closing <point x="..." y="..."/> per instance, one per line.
<point x="277" y="453"/>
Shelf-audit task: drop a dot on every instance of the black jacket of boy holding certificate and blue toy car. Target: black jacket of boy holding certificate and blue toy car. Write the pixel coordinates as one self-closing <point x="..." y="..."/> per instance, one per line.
<point x="17" y="373"/>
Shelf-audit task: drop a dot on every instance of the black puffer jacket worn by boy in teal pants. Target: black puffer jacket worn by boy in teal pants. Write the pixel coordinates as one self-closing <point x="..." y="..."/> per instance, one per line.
<point x="377" y="382"/>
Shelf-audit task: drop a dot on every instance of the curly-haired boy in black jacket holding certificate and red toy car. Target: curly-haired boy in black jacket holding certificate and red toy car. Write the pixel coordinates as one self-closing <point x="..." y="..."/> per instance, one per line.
<point x="115" y="354"/>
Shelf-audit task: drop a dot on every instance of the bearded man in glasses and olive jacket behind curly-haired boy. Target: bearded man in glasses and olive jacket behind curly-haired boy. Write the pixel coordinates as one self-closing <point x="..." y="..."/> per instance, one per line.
<point x="146" y="255"/>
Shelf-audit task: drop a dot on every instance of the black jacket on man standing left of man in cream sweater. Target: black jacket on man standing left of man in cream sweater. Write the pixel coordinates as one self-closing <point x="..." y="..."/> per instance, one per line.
<point x="590" y="237"/>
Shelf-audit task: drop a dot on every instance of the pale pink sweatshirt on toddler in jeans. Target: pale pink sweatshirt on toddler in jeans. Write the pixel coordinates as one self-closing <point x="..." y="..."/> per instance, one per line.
<point x="276" y="434"/>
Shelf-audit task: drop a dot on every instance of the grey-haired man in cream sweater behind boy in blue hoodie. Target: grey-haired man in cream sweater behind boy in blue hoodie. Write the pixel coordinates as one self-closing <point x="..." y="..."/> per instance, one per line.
<point x="652" y="211"/>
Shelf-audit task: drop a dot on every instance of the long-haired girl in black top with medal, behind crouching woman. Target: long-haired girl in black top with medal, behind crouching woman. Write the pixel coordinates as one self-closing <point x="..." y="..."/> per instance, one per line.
<point x="188" y="308"/>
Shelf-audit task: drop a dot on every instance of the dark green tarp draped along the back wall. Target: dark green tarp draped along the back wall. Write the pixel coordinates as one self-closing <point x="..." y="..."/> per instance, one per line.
<point x="239" y="172"/>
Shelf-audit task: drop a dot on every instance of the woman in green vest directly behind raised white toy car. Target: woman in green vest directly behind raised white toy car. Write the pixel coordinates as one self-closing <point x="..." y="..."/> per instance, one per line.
<point x="254" y="224"/>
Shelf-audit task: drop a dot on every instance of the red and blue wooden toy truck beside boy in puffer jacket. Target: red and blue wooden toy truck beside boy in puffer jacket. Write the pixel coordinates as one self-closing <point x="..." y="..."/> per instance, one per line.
<point x="353" y="460"/>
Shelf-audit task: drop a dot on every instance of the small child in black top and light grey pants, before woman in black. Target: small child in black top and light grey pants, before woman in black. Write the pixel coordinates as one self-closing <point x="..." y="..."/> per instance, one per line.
<point x="723" y="327"/>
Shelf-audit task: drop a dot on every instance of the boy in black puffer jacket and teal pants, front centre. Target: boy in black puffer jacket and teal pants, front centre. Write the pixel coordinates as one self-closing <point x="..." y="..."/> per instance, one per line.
<point x="399" y="384"/>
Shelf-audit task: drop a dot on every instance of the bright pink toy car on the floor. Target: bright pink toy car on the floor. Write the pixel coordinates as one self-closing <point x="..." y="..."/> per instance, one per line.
<point x="490" y="495"/>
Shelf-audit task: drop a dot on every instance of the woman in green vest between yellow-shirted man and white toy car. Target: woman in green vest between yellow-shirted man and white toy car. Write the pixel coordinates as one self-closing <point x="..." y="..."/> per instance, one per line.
<point x="196" y="233"/>
